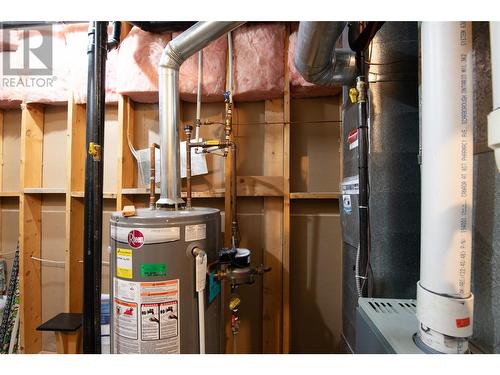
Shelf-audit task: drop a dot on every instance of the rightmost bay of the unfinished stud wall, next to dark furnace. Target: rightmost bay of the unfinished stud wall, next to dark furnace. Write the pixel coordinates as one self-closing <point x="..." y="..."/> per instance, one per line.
<point x="315" y="238"/>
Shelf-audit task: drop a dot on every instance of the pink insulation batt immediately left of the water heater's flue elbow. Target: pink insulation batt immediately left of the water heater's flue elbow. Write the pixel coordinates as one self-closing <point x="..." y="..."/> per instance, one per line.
<point x="138" y="58"/>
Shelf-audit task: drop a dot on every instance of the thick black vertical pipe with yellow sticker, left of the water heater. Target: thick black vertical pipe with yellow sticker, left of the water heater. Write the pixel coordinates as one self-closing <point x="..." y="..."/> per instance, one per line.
<point x="92" y="244"/>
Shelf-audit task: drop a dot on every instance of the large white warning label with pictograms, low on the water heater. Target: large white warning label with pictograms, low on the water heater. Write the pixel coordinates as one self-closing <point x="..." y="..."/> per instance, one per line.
<point x="156" y="330"/>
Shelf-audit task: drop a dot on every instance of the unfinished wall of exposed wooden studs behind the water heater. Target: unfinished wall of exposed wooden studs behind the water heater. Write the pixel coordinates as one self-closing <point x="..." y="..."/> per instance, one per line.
<point x="288" y="171"/>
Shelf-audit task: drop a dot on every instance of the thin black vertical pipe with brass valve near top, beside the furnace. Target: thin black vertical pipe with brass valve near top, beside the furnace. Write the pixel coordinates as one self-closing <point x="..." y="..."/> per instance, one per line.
<point x="363" y="174"/>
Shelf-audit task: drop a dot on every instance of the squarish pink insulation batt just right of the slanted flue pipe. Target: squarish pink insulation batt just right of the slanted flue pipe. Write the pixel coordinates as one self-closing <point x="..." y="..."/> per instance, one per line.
<point x="258" y="61"/>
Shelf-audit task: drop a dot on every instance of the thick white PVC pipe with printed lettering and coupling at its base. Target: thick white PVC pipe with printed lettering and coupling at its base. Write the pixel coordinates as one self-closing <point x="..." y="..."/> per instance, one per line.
<point x="444" y="299"/>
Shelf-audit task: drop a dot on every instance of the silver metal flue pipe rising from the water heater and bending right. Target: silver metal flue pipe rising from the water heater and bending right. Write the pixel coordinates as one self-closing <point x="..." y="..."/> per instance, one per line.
<point x="176" y="52"/>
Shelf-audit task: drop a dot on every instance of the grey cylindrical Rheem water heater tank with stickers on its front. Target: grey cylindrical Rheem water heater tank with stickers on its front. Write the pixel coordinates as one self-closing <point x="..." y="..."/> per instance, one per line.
<point x="153" y="281"/>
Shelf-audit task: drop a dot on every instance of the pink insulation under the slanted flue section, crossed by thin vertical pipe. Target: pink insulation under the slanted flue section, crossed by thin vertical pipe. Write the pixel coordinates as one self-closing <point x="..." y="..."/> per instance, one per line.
<point x="213" y="83"/>
